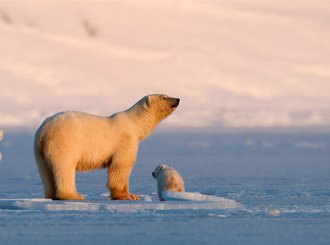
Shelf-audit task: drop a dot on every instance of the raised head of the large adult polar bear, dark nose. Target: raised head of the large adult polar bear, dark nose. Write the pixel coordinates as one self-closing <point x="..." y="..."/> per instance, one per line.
<point x="160" y="105"/>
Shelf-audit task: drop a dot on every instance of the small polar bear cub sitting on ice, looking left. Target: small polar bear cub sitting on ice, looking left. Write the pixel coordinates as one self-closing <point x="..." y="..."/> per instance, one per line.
<point x="168" y="179"/>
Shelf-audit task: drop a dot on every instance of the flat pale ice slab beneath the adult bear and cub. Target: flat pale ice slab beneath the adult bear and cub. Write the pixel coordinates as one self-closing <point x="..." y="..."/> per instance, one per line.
<point x="179" y="201"/>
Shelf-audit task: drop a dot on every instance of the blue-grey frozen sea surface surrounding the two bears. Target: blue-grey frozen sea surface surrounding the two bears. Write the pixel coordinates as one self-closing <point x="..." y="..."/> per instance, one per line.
<point x="281" y="179"/>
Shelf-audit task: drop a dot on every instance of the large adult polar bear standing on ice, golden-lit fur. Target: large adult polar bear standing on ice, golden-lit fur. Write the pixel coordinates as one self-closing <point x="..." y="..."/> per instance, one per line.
<point x="75" y="141"/>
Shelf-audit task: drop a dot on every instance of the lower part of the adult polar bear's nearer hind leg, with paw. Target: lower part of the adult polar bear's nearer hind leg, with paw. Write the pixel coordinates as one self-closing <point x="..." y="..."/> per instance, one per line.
<point x="65" y="180"/>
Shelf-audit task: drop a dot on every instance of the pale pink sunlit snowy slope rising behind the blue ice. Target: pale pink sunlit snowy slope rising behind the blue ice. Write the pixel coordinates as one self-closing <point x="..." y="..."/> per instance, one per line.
<point x="232" y="63"/>
